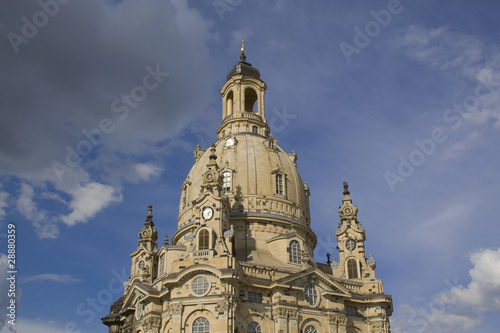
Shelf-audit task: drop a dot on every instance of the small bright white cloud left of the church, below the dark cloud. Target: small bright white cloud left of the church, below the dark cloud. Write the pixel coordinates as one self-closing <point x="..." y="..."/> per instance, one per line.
<point x="88" y="200"/>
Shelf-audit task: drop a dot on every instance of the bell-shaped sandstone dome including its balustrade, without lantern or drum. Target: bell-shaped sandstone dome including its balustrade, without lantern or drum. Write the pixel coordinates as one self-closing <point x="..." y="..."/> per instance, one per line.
<point x="258" y="177"/>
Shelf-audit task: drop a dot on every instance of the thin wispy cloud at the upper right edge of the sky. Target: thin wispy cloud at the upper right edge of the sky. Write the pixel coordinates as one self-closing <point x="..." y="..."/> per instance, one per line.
<point x="472" y="63"/>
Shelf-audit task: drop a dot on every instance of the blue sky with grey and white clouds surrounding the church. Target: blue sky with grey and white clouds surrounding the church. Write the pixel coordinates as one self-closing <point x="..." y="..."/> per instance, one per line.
<point x="400" y="98"/>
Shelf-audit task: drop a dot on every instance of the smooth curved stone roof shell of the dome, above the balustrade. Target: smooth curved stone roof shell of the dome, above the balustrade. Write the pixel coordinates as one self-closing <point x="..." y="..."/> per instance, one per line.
<point x="254" y="163"/>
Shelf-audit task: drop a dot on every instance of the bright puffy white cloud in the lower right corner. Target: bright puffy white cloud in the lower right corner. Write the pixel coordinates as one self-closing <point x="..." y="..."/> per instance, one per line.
<point x="457" y="309"/>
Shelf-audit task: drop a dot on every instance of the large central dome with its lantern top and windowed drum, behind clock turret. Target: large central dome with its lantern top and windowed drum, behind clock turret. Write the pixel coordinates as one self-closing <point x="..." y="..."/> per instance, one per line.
<point x="267" y="201"/>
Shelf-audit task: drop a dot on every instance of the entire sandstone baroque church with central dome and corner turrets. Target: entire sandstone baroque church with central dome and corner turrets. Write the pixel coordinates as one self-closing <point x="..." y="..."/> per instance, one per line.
<point x="242" y="258"/>
